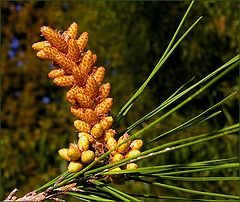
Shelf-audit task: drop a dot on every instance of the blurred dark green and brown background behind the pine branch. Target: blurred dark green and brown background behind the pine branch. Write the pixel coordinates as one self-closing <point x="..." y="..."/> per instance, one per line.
<point x="129" y="39"/>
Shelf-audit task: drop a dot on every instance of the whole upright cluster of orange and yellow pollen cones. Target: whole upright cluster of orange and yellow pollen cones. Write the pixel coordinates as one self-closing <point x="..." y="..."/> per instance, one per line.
<point x="75" y="69"/>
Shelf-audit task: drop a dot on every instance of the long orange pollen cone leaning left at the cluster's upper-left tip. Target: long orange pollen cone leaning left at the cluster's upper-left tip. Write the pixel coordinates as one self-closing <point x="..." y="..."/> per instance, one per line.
<point x="54" y="38"/>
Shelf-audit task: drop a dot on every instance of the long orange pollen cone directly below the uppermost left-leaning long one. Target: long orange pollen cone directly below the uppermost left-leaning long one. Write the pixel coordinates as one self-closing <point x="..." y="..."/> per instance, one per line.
<point x="59" y="58"/>
